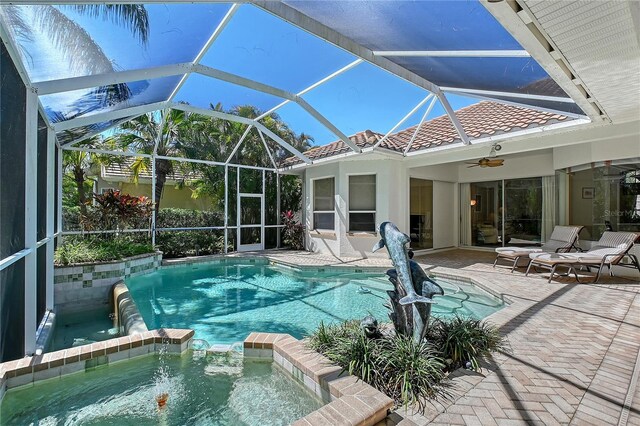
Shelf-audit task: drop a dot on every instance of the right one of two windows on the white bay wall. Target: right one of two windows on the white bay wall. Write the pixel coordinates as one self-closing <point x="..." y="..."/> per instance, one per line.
<point x="362" y="203"/>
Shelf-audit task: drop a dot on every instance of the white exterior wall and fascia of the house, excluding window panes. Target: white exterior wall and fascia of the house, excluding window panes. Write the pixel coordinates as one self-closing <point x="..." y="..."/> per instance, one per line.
<point x="539" y="154"/>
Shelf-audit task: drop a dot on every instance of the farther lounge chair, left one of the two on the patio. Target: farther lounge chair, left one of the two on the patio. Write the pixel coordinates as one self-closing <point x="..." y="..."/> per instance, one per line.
<point x="562" y="239"/>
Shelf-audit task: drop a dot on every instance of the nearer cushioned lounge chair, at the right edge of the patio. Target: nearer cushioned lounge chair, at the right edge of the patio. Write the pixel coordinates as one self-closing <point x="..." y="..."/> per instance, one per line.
<point x="610" y="250"/>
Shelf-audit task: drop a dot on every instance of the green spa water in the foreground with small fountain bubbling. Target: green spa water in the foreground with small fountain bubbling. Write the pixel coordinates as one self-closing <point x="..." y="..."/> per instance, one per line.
<point x="202" y="390"/>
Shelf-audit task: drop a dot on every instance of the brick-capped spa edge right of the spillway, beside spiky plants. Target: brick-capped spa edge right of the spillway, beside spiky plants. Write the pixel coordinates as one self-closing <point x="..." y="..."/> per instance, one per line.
<point x="348" y="400"/>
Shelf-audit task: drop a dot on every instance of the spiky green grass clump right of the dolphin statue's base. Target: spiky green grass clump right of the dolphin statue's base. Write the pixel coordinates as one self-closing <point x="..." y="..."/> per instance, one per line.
<point x="463" y="340"/>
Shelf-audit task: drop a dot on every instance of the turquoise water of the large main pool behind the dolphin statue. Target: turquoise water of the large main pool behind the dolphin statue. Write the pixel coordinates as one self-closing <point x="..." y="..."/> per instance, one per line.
<point x="224" y="303"/>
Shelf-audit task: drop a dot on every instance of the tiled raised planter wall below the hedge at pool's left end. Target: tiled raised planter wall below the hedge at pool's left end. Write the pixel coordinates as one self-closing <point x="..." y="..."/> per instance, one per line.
<point x="91" y="283"/>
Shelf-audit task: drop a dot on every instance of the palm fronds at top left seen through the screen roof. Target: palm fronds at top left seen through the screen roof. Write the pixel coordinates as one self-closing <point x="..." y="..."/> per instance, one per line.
<point x="81" y="52"/>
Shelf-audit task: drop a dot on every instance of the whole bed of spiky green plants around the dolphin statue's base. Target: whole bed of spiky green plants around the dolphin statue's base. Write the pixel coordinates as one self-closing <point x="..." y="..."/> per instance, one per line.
<point x="408" y="372"/>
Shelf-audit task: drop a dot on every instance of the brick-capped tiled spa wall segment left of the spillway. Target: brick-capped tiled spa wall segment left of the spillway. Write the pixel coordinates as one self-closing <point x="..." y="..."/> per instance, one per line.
<point x="54" y="365"/>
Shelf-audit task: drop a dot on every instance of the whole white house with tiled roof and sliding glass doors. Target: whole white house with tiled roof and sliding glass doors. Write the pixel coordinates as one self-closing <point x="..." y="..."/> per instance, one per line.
<point x="553" y="173"/>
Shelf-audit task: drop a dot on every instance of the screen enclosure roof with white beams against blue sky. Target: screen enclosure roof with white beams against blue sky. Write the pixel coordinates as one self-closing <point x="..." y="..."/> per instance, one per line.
<point x="293" y="57"/>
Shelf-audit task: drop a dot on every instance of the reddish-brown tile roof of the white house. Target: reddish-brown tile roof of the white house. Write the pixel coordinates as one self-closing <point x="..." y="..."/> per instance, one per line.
<point x="479" y="120"/>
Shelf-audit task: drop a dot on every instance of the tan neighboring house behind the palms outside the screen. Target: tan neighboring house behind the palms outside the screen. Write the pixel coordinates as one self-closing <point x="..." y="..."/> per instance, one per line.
<point x="175" y="193"/>
